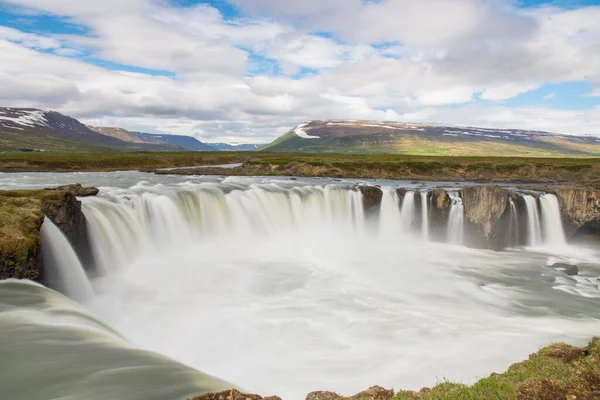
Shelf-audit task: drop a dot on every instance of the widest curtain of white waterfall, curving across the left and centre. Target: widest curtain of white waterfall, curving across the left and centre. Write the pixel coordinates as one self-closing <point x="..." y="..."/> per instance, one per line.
<point x="123" y="226"/>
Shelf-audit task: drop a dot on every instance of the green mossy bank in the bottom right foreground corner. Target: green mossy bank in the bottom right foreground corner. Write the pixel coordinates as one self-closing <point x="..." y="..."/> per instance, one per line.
<point x="557" y="372"/>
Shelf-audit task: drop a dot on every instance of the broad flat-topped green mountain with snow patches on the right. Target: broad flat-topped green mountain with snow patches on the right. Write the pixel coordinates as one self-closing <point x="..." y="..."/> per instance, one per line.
<point x="365" y="137"/>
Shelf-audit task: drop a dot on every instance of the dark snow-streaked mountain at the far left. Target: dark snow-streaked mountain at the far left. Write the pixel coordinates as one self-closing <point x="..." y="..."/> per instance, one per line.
<point x="30" y="129"/>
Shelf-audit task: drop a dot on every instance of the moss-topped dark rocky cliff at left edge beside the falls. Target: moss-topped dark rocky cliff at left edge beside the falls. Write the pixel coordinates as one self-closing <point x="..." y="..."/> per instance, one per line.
<point x="21" y="217"/>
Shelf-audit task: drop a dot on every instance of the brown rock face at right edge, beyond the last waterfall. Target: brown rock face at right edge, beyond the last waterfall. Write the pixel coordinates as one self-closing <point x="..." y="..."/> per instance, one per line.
<point x="580" y="210"/>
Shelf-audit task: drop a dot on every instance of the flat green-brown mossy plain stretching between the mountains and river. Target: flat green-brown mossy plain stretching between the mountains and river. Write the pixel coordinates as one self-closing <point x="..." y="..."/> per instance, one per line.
<point x="389" y="166"/>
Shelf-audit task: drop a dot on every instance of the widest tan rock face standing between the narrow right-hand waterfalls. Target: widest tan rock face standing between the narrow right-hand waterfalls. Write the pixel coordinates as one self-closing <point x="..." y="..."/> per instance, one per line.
<point x="486" y="211"/>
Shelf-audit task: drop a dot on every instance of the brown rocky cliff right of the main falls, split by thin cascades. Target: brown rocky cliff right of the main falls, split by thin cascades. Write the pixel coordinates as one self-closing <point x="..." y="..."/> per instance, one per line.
<point x="488" y="212"/>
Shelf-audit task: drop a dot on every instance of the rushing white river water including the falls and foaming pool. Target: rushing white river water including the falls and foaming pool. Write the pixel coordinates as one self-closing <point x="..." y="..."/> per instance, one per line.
<point x="281" y="287"/>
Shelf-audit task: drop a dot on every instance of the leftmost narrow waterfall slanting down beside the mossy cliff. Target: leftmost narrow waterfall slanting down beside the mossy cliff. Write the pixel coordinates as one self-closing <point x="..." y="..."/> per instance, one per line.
<point x="62" y="268"/>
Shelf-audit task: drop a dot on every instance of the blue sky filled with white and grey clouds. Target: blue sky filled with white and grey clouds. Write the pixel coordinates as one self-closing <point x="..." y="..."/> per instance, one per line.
<point x="247" y="71"/>
